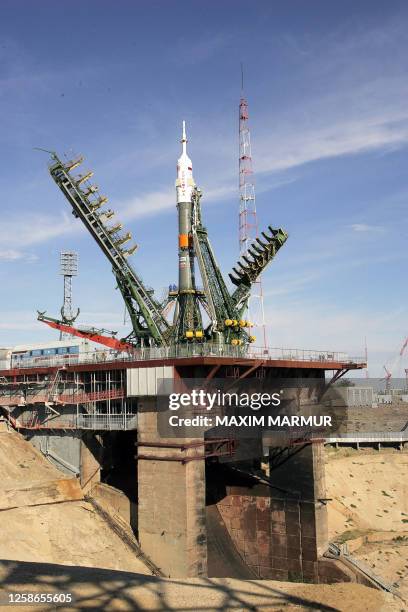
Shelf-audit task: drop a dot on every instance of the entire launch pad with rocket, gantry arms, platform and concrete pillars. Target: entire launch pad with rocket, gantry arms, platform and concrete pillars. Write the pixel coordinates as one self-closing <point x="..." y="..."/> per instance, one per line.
<point x="94" y="413"/>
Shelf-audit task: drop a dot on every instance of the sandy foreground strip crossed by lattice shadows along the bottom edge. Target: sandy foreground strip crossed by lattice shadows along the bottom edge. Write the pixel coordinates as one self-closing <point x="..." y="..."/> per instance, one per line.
<point x="106" y="590"/>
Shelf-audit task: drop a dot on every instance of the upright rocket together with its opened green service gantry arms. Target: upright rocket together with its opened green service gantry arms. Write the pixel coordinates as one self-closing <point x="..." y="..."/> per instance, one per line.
<point x="213" y="314"/>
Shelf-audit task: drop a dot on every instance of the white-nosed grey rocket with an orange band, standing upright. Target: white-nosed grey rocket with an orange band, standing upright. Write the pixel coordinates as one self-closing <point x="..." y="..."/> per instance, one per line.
<point x="184" y="187"/>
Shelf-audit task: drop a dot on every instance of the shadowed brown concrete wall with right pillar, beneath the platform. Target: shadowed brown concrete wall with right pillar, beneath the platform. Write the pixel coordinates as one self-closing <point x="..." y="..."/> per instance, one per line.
<point x="282" y="533"/>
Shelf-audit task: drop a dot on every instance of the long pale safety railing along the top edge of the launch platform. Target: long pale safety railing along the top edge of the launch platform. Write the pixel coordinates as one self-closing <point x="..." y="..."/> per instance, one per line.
<point x="186" y="351"/>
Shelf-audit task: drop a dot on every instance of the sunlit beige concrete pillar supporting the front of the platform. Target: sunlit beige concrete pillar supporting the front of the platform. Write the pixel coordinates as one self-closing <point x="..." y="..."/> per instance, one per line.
<point x="171" y="505"/>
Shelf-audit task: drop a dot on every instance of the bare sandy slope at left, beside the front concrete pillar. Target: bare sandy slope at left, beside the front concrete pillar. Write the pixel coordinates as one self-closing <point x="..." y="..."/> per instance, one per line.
<point x="69" y="533"/>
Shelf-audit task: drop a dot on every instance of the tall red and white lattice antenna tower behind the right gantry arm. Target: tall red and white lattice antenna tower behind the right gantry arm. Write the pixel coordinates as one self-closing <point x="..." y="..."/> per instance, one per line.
<point x="248" y="222"/>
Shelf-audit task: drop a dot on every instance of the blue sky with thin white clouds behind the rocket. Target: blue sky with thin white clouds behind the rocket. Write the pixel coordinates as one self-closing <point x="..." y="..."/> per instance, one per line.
<point x="327" y="88"/>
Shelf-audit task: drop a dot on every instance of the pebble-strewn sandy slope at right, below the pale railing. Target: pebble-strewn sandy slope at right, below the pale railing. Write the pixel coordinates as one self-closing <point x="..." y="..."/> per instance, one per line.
<point x="370" y="495"/>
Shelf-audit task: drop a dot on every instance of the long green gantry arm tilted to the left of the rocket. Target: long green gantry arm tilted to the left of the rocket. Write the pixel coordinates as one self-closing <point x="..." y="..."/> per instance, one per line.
<point x="149" y="324"/>
